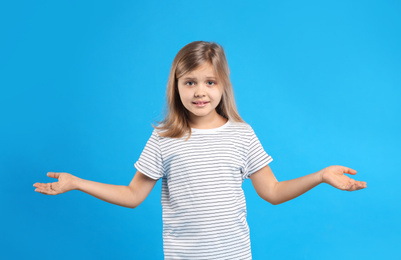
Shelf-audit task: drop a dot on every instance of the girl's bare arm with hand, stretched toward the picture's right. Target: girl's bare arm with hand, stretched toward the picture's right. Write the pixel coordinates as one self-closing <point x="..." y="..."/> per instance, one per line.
<point x="269" y="189"/>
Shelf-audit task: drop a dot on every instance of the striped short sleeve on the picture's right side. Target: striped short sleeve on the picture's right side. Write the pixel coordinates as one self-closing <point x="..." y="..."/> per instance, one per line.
<point x="256" y="157"/>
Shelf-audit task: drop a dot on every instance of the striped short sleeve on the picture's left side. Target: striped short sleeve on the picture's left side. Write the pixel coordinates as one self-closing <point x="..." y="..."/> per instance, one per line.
<point x="150" y="162"/>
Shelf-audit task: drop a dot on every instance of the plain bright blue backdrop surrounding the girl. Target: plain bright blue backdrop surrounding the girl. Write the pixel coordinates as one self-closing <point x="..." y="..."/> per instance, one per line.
<point x="81" y="83"/>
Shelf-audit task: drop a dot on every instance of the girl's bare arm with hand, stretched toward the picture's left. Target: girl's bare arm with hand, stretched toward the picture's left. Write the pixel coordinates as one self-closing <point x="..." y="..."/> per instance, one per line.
<point x="127" y="196"/>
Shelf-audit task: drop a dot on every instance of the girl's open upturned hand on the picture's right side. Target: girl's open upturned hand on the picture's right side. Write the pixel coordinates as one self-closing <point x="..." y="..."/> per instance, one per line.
<point x="334" y="175"/>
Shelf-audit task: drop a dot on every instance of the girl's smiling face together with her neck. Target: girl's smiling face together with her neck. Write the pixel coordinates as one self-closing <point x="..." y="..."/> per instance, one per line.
<point x="200" y="93"/>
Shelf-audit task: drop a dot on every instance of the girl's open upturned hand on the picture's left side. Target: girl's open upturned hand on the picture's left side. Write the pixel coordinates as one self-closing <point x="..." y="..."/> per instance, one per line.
<point x="66" y="182"/>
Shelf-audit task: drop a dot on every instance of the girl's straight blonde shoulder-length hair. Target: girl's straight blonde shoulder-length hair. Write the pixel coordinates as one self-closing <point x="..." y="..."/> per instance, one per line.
<point x="190" y="57"/>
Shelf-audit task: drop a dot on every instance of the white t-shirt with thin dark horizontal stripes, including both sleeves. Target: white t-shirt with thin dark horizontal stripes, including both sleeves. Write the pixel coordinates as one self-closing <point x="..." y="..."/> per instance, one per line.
<point x="204" y="211"/>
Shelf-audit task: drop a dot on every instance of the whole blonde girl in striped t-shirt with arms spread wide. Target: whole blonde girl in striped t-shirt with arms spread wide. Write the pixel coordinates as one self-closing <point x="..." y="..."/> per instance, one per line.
<point x="203" y="151"/>
